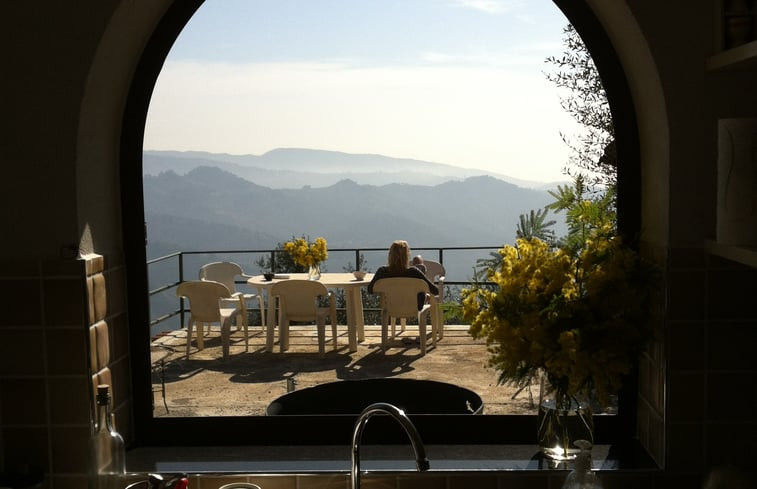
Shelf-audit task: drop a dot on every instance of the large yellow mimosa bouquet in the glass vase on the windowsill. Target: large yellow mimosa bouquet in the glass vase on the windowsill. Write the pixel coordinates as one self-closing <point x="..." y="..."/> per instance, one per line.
<point x="581" y="319"/>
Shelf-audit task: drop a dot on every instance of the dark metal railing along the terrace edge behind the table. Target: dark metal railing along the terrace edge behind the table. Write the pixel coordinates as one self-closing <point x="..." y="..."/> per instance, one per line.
<point x="180" y="257"/>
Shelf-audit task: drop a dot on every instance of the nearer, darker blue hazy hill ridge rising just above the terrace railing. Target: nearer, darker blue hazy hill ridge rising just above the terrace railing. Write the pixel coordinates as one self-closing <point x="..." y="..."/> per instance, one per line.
<point x="209" y="208"/>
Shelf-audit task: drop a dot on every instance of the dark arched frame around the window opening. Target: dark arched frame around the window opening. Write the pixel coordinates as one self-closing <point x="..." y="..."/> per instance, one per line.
<point x="336" y="429"/>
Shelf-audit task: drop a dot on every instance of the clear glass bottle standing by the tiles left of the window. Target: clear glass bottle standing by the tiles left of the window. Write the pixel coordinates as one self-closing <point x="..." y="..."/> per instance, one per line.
<point x="107" y="448"/>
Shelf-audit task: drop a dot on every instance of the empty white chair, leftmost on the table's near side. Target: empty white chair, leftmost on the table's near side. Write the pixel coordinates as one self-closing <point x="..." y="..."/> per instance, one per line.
<point x="205" y="299"/>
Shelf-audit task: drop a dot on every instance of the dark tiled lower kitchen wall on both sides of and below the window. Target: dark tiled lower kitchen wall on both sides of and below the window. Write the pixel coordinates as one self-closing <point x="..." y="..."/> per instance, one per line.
<point x="697" y="390"/>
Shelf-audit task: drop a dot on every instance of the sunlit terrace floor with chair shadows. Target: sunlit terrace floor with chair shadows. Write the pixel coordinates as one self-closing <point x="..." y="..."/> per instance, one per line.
<point x="243" y="385"/>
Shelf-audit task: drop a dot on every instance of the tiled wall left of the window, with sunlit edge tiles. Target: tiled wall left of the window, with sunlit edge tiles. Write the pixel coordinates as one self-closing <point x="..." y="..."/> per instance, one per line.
<point x="45" y="384"/>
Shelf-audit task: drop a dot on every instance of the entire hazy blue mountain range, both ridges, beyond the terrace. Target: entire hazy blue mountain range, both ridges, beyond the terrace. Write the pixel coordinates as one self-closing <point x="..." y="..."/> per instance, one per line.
<point x="207" y="202"/>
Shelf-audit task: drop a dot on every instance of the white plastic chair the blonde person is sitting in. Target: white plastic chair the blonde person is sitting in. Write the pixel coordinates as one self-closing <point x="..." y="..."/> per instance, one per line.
<point x="399" y="299"/>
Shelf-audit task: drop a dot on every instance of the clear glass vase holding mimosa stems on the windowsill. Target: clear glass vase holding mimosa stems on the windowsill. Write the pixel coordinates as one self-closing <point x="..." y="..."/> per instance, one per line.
<point x="563" y="420"/>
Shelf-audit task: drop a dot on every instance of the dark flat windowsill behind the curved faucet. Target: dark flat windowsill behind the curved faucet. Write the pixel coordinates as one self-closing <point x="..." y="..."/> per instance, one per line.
<point x="396" y="458"/>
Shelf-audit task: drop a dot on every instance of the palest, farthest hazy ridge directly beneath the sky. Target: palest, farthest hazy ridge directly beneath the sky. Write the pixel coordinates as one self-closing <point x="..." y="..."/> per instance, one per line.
<point x="295" y="168"/>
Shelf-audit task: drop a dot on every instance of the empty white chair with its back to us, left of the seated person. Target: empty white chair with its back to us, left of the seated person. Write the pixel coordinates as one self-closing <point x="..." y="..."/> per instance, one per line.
<point x="298" y="301"/>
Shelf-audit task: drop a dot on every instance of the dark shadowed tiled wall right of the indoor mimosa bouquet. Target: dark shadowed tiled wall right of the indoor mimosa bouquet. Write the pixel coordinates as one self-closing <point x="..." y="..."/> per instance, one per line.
<point x="711" y="380"/>
